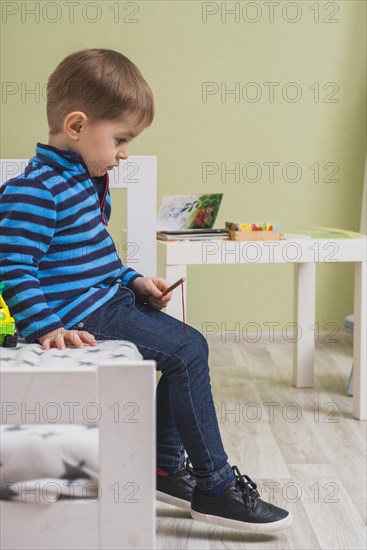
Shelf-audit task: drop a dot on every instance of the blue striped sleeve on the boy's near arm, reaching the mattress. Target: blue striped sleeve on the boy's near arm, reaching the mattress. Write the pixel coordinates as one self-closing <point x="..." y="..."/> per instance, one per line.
<point x="27" y="225"/>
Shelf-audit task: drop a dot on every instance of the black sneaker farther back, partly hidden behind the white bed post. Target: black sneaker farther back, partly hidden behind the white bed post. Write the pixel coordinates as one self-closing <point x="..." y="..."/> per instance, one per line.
<point x="177" y="489"/>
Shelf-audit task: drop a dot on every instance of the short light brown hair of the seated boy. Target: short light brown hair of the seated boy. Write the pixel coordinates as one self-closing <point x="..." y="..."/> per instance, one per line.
<point x="104" y="84"/>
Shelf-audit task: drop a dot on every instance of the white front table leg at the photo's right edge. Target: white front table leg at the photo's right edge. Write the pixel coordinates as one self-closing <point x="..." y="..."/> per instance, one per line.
<point x="359" y="341"/>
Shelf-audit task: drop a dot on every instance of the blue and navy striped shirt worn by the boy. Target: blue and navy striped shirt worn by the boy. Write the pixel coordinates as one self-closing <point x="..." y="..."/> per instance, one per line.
<point x="57" y="258"/>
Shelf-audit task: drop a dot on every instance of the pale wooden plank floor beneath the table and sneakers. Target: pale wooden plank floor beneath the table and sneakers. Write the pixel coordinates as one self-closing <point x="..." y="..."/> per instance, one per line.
<point x="302" y="448"/>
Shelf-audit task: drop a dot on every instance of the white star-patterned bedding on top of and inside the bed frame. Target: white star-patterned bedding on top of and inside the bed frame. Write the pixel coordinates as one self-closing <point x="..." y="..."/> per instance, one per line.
<point x="47" y="462"/>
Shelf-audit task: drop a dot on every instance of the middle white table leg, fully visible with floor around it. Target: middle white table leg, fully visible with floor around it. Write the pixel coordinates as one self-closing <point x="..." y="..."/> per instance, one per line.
<point x="304" y="317"/>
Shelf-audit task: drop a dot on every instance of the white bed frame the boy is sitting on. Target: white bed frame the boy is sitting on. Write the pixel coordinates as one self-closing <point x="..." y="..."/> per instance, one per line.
<point x="123" y="516"/>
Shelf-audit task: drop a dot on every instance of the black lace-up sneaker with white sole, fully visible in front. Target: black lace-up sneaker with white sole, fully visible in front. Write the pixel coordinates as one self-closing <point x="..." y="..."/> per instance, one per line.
<point x="239" y="508"/>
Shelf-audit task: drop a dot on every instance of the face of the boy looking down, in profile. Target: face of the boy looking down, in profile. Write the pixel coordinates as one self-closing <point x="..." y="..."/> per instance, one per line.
<point x="103" y="144"/>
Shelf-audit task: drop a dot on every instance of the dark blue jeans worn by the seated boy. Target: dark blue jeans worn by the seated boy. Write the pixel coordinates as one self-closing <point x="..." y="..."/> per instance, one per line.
<point x="186" y="418"/>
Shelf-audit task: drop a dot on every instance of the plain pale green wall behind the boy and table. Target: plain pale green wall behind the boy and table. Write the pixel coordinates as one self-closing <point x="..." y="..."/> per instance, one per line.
<point x="313" y="49"/>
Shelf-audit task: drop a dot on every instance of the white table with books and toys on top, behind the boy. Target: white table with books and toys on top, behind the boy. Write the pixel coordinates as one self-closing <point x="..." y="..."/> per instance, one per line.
<point x="324" y="245"/>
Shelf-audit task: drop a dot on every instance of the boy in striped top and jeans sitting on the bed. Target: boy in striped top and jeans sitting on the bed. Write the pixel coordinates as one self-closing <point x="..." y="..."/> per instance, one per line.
<point x="65" y="283"/>
